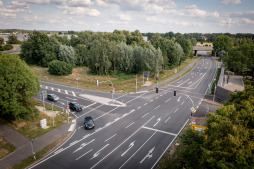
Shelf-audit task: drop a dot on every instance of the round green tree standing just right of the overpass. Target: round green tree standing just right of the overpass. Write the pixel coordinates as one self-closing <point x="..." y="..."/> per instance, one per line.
<point x="222" y="42"/>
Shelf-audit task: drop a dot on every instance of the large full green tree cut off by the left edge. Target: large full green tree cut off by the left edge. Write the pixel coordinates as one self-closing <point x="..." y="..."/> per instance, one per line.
<point x="18" y="85"/>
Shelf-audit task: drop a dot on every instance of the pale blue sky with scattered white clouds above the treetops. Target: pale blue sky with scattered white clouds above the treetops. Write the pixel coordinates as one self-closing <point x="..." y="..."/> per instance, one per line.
<point x="183" y="16"/>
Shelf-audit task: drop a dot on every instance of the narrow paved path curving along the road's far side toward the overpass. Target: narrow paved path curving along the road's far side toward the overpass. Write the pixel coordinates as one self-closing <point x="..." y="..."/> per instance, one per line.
<point x="172" y="77"/>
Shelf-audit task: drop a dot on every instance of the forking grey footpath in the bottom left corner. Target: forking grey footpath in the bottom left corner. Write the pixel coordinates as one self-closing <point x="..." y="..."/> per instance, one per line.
<point x="23" y="145"/>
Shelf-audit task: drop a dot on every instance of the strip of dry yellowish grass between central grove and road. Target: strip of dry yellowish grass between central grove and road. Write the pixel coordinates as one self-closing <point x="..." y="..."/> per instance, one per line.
<point x="122" y="83"/>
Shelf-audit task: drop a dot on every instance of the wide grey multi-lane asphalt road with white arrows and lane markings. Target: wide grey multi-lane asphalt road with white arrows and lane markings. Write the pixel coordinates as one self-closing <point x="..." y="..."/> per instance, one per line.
<point x="133" y="136"/>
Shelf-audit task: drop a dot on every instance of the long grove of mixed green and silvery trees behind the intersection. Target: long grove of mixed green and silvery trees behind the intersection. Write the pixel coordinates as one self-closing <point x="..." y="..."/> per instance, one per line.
<point x="107" y="53"/>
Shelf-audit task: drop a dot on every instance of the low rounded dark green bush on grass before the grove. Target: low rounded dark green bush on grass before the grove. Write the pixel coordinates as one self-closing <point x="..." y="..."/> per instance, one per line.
<point x="57" y="67"/>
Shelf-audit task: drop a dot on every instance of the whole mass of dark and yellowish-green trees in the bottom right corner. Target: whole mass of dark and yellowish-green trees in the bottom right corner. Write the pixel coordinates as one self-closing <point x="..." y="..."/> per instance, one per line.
<point x="230" y="138"/>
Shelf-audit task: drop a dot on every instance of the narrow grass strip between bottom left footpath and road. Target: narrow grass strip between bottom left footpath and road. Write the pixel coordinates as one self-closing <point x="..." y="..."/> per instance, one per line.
<point x="40" y="154"/>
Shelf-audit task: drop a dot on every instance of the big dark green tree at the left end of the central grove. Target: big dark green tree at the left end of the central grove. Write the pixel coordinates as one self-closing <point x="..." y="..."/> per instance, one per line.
<point x="39" y="49"/>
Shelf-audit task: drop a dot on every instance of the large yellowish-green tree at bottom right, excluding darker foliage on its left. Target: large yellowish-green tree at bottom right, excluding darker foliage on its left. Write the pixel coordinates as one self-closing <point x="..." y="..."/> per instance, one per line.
<point x="230" y="133"/>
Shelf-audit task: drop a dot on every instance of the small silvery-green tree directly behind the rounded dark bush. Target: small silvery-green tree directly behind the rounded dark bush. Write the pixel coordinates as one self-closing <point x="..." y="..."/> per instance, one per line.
<point x="67" y="54"/>
